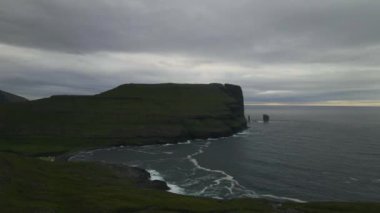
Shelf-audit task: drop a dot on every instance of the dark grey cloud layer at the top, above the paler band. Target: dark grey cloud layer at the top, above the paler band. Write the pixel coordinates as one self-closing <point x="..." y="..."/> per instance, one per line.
<point x="259" y="30"/>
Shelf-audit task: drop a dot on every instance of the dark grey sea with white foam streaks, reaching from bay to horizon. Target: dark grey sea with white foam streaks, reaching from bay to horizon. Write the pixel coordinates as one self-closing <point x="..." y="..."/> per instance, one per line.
<point x="304" y="154"/>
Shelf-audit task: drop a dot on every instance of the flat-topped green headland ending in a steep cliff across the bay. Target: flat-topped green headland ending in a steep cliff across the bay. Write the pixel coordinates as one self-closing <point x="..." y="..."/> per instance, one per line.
<point x="131" y="114"/>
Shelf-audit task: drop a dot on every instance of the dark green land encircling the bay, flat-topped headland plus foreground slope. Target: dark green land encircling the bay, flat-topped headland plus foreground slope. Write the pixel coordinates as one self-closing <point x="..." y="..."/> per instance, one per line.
<point x="35" y="133"/>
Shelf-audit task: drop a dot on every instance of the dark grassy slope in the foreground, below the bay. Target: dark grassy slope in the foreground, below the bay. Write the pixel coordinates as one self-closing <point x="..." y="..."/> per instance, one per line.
<point x="33" y="185"/>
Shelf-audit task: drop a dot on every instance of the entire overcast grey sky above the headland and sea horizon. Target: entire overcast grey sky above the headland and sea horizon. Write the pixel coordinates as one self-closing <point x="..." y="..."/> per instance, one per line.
<point x="295" y="52"/>
